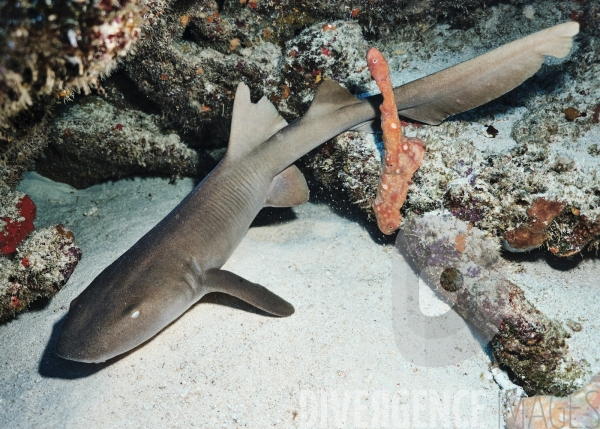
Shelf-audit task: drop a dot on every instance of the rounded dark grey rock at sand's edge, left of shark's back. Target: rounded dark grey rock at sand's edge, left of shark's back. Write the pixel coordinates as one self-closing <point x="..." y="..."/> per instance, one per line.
<point x="93" y="140"/>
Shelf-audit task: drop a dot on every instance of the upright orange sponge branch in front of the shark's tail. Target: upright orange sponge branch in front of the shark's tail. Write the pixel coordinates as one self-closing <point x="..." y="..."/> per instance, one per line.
<point x="402" y="155"/>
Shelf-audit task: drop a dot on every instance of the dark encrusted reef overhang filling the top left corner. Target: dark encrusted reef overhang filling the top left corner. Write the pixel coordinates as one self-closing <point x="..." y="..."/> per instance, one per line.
<point x="48" y="51"/>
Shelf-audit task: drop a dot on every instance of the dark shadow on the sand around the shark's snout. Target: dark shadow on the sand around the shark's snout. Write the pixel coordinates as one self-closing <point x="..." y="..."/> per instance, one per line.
<point x="52" y="366"/>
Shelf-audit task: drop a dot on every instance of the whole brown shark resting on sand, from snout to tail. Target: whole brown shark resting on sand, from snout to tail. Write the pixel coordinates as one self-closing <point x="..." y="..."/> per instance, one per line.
<point x="179" y="260"/>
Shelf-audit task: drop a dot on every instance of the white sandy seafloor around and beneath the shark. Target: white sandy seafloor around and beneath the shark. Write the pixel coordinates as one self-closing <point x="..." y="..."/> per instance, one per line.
<point x="334" y="363"/>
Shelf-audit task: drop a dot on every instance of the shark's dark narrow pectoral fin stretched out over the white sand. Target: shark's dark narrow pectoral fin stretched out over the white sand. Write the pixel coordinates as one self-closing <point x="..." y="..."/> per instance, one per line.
<point x="218" y="280"/>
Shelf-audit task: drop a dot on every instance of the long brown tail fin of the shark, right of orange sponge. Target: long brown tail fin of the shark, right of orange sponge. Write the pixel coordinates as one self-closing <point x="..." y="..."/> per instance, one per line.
<point x="484" y="78"/>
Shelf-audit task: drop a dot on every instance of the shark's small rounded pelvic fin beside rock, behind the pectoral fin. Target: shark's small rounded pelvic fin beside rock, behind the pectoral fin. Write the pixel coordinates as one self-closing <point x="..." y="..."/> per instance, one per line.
<point x="288" y="189"/>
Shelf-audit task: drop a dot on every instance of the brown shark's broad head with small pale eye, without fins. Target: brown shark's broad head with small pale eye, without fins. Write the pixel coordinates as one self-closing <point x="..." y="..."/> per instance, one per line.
<point x="117" y="312"/>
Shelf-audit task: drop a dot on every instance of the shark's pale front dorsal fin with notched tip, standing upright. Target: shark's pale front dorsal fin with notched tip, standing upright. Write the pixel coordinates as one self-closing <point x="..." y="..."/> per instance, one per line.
<point x="251" y="123"/>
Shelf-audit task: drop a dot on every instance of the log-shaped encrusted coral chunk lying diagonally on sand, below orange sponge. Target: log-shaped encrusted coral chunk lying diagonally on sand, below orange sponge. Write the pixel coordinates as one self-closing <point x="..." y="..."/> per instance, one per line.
<point x="464" y="268"/>
